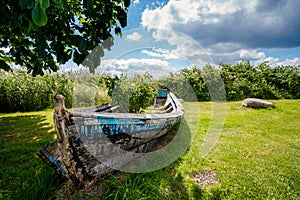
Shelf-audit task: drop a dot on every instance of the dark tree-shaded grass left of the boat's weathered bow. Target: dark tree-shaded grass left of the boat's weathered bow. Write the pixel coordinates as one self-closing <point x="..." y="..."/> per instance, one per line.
<point x="23" y="174"/>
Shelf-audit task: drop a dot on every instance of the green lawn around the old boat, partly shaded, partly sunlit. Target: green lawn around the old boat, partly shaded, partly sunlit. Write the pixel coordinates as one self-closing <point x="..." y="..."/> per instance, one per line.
<point x="257" y="156"/>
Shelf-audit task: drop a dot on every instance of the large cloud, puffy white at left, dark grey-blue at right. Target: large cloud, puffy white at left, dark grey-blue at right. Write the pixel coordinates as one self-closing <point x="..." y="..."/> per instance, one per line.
<point x="258" y="24"/>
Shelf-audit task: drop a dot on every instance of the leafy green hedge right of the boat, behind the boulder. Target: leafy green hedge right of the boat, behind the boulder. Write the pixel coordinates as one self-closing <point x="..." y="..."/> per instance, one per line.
<point x="242" y="81"/>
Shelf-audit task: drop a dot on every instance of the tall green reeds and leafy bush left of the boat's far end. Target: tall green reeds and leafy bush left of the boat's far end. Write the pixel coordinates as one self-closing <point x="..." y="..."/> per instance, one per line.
<point x="20" y="91"/>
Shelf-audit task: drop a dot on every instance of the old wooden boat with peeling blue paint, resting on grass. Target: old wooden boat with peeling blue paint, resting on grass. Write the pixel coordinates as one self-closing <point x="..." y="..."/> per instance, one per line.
<point x="93" y="141"/>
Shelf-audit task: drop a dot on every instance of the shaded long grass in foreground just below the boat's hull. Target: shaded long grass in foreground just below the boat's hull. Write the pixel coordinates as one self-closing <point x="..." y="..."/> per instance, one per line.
<point x="166" y="183"/>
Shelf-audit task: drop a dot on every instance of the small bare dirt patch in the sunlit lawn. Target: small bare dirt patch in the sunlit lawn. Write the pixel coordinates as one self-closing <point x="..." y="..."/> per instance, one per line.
<point x="205" y="179"/>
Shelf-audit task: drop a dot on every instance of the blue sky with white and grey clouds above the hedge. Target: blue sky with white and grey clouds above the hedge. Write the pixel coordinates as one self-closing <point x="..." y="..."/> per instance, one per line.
<point x="171" y="34"/>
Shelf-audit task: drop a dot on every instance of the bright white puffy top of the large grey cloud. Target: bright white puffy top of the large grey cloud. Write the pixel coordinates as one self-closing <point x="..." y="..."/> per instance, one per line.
<point x="186" y="11"/>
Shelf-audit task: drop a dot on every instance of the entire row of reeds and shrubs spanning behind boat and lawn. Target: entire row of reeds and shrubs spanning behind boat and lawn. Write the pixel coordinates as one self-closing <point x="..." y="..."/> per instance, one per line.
<point x="22" y="92"/>
